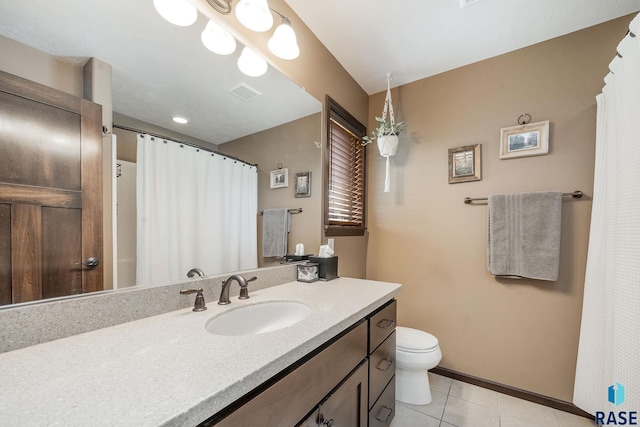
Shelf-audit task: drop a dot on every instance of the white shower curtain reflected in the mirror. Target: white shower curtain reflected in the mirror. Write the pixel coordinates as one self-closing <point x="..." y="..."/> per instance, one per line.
<point x="195" y="209"/>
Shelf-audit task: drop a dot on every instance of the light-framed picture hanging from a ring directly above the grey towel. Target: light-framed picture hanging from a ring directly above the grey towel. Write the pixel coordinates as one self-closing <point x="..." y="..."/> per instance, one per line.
<point x="531" y="139"/>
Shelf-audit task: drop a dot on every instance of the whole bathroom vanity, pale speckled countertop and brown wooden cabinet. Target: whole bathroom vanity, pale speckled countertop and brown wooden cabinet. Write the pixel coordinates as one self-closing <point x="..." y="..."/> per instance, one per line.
<point x="333" y="367"/>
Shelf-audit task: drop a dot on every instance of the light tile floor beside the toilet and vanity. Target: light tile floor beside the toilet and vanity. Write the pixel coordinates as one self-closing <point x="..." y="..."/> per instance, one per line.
<point x="458" y="404"/>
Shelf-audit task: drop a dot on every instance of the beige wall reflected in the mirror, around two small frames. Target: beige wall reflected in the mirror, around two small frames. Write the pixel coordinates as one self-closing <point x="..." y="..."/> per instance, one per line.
<point x="293" y="145"/>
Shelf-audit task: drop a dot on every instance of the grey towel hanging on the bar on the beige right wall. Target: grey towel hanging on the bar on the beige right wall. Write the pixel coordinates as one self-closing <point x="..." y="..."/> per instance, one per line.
<point x="524" y="235"/>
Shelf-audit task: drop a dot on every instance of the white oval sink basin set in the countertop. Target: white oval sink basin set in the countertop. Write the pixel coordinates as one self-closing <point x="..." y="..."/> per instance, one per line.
<point x="258" y="318"/>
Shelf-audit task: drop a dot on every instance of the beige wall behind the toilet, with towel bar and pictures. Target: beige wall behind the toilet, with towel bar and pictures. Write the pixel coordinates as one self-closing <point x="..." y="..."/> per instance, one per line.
<point x="519" y="333"/>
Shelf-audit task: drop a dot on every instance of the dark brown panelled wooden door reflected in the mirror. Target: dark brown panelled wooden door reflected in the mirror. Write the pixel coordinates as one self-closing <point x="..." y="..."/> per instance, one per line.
<point x="50" y="192"/>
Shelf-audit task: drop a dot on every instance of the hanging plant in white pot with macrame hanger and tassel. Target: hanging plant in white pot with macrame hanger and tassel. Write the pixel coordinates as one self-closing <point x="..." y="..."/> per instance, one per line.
<point x="386" y="133"/>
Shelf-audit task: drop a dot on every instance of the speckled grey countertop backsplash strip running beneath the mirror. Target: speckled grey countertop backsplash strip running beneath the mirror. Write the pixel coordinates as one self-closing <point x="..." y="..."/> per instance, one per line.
<point x="29" y="324"/>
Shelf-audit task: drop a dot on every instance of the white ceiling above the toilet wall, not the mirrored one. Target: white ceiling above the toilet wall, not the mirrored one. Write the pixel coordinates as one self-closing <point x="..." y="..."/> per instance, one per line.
<point x="414" y="39"/>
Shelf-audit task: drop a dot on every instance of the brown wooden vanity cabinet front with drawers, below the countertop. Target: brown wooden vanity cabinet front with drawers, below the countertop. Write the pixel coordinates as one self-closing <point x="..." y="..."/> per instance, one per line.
<point x="348" y="382"/>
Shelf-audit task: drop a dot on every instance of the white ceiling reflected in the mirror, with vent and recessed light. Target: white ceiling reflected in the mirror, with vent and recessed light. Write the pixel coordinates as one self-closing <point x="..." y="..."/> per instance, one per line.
<point x="159" y="69"/>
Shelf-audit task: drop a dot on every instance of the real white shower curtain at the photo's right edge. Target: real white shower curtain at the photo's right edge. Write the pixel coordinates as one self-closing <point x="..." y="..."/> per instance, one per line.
<point x="609" y="348"/>
